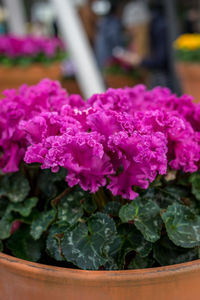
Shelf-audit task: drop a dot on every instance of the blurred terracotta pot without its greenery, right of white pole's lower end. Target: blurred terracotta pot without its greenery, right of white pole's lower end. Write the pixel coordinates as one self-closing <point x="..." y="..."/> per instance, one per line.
<point x="120" y="81"/>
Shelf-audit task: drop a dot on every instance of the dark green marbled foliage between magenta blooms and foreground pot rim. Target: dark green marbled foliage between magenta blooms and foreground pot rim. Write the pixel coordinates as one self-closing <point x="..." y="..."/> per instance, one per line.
<point x="161" y="227"/>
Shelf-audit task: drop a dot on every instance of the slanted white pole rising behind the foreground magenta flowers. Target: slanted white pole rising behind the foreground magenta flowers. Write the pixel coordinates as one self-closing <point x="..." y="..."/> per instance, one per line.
<point x="88" y="75"/>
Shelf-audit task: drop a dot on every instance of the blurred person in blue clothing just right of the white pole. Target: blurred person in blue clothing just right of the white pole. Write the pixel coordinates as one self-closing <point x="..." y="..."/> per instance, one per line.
<point x="110" y="33"/>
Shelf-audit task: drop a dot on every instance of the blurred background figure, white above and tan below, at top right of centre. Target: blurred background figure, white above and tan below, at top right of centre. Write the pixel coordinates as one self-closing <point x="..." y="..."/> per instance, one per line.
<point x="136" y="19"/>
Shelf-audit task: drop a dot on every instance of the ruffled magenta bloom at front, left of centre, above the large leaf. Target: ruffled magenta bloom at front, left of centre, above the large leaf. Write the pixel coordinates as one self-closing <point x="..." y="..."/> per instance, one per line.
<point x="81" y="154"/>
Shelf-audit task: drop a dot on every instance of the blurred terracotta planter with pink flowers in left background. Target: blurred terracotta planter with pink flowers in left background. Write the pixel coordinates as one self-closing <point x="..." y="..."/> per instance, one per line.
<point x="29" y="59"/>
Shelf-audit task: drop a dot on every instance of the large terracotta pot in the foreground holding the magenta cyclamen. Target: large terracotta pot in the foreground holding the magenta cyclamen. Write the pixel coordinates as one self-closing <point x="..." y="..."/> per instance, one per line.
<point x="22" y="280"/>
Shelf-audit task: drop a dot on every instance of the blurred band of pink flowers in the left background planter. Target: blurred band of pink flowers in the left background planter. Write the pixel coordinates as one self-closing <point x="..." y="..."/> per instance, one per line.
<point x="14" y="47"/>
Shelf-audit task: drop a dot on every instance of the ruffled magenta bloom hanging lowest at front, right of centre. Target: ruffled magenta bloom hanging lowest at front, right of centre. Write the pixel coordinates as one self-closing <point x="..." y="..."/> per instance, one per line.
<point x="141" y="158"/>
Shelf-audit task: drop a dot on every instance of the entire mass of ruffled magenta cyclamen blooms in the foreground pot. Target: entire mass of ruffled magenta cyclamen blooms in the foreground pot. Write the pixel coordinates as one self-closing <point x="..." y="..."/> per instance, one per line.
<point x="121" y="139"/>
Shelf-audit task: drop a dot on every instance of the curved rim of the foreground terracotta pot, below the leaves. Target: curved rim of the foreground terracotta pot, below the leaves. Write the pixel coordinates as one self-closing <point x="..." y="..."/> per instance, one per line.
<point x="93" y="278"/>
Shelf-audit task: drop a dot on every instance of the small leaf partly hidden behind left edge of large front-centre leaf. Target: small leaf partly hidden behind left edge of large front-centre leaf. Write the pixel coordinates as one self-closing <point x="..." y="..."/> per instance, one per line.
<point x="53" y="242"/>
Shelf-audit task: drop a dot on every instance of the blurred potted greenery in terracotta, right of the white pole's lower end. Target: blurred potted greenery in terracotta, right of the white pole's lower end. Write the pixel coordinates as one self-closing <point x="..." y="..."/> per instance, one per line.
<point x="119" y="75"/>
